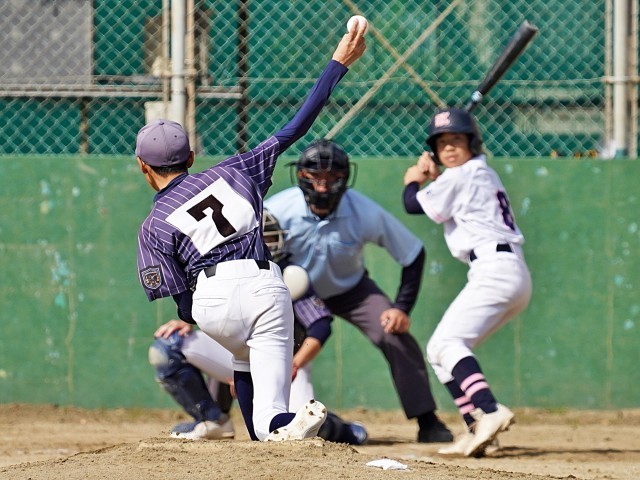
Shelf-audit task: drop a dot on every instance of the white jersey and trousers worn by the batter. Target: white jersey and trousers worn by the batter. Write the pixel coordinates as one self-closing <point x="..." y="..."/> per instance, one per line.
<point x="480" y="230"/>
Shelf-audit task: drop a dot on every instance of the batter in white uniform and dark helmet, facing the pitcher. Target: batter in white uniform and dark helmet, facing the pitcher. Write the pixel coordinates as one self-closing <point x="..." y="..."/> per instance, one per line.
<point x="469" y="199"/>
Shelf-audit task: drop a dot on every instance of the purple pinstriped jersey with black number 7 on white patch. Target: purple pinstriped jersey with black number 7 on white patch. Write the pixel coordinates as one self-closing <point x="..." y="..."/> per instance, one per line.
<point x="206" y="218"/>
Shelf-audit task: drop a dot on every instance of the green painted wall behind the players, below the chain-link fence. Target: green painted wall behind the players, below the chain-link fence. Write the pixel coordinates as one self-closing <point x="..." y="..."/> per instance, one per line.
<point x="77" y="325"/>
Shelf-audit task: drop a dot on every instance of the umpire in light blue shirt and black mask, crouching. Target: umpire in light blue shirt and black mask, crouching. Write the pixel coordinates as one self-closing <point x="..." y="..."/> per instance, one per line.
<point x="328" y="226"/>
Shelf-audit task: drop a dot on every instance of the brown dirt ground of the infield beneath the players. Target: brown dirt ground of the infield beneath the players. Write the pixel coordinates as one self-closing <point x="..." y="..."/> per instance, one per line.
<point x="46" y="443"/>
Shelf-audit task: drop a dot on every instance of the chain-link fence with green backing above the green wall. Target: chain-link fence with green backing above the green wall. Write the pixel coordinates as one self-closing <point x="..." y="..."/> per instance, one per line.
<point x="82" y="76"/>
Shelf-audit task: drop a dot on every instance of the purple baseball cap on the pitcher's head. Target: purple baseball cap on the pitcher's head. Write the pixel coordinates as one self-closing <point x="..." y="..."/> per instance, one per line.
<point x="162" y="143"/>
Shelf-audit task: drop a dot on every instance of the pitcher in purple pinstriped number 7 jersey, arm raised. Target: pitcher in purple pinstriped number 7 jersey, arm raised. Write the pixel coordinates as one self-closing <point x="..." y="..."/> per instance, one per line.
<point x="203" y="245"/>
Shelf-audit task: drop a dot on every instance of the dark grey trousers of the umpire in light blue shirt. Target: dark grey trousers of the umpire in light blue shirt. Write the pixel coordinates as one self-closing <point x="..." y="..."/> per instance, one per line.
<point x="362" y="306"/>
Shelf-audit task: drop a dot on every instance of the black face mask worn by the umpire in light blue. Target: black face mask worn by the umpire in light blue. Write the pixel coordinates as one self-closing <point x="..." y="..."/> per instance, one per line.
<point x="325" y="163"/>
